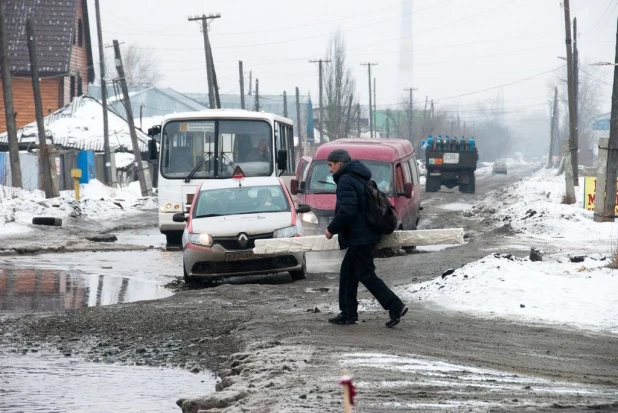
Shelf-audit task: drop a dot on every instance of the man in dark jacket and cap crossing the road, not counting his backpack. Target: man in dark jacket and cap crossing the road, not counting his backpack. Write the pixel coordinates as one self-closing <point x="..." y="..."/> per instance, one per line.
<point x="359" y="239"/>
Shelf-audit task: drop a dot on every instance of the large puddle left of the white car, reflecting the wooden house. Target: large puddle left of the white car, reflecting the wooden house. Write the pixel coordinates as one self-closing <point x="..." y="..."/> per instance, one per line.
<point x="85" y="279"/>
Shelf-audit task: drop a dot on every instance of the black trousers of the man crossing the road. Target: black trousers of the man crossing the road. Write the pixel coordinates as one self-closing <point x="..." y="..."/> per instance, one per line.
<point x="358" y="266"/>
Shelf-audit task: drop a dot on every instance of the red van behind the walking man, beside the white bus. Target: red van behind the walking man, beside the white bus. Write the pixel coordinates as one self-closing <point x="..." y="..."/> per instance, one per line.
<point x="393" y="167"/>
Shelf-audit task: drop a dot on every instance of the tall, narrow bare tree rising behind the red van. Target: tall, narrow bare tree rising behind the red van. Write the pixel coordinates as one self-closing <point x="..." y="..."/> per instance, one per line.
<point x="340" y="90"/>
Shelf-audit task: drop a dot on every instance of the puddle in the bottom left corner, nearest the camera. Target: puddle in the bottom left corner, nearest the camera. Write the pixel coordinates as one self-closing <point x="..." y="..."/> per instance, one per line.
<point x="51" y="383"/>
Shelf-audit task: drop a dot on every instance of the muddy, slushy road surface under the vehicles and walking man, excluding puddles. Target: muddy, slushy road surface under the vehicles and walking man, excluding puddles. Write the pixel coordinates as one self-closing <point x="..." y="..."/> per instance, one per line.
<point x="268" y="342"/>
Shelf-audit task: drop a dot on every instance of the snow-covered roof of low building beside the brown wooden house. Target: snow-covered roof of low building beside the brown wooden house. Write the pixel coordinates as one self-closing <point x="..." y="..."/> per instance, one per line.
<point x="80" y="125"/>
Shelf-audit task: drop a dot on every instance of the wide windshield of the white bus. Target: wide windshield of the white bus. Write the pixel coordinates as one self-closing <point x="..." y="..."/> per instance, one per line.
<point x="217" y="146"/>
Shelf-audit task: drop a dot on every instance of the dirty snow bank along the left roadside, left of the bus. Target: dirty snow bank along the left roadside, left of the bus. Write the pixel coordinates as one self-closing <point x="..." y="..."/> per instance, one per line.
<point x="18" y="207"/>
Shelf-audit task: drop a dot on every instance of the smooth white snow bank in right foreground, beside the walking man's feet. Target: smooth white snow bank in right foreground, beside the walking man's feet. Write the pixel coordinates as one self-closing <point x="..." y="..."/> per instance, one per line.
<point x="581" y="294"/>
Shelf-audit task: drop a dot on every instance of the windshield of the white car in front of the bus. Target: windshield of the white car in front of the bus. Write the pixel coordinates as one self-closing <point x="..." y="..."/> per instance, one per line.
<point x="241" y="200"/>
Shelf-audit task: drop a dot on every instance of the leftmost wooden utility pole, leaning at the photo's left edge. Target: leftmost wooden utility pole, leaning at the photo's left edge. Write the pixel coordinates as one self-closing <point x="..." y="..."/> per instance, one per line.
<point x="9" y="110"/>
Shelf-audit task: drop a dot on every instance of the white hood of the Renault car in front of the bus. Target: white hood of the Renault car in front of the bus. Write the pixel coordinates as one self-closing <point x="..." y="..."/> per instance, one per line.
<point x="250" y="224"/>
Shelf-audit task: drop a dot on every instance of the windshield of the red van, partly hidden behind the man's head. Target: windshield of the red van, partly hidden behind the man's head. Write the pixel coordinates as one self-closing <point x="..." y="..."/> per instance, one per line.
<point x="320" y="180"/>
